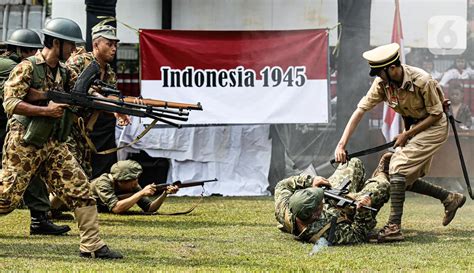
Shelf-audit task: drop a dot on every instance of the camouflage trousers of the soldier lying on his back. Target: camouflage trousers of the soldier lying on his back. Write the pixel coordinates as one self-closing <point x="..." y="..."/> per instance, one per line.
<point x="378" y="186"/>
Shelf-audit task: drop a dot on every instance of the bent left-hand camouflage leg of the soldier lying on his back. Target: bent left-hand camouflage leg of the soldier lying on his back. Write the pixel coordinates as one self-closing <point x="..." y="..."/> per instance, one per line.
<point x="353" y="170"/>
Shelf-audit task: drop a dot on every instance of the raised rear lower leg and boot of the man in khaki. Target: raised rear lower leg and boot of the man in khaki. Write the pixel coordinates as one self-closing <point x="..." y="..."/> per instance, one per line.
<point x="452" y="201"/>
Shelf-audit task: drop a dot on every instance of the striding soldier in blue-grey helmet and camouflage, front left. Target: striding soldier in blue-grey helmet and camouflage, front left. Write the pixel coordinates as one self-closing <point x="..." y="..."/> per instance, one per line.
<point x="36" y="139"/>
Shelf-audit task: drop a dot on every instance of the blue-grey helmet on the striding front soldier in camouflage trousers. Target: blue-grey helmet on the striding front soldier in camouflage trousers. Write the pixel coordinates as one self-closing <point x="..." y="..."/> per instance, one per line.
<point x="63" y="28"/>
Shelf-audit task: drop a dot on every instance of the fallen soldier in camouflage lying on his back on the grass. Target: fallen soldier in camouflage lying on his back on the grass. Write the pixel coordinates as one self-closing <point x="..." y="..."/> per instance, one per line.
<point x="300" y="211"/>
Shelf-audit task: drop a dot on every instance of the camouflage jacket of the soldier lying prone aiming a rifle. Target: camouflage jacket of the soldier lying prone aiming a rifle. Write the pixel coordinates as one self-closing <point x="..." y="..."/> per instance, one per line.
<point x="106" y="195"/>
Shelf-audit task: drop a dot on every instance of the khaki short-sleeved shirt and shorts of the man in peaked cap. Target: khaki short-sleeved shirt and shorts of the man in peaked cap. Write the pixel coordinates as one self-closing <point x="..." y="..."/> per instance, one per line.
<point x="417" y="98"/>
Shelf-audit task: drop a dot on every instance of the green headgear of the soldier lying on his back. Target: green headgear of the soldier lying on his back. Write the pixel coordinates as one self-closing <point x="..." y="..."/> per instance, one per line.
<point x="303" y="202"/>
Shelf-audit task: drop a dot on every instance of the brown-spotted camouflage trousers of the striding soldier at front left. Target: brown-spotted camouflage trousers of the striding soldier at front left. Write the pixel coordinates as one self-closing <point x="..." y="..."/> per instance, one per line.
<point x="62" y="172"/>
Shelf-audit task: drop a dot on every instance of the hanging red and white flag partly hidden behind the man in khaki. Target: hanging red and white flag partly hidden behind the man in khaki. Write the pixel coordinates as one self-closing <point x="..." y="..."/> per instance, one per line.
<point x="391" y="119"/>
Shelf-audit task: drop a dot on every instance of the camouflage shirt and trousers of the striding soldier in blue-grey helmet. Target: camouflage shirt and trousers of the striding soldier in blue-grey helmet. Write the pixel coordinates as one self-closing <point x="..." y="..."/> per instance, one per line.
<point x="21" y="161"/>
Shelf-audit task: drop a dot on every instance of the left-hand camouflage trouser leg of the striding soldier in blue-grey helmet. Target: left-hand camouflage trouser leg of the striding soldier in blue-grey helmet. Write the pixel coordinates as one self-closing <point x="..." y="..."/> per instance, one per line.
<point x="20" y="162"/>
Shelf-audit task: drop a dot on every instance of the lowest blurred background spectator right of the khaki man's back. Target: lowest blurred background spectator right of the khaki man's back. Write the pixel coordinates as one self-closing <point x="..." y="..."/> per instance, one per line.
<point x="461" y="111"/>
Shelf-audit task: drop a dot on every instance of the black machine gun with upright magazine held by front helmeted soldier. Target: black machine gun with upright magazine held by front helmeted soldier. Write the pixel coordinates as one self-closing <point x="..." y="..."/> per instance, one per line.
<point x="79" y="97"/>
